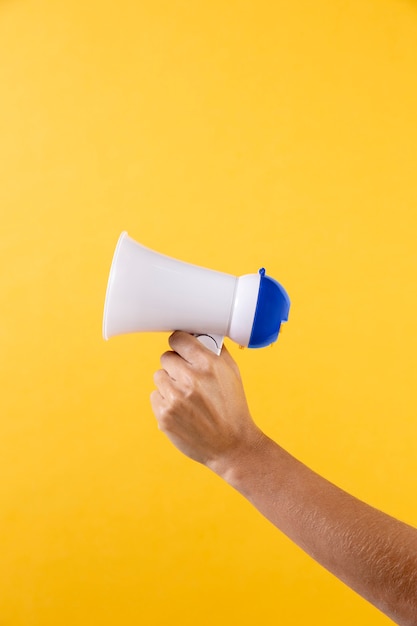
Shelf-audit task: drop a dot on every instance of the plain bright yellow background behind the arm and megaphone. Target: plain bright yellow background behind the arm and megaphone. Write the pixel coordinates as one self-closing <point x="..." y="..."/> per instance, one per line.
<point x="233" y="135"/>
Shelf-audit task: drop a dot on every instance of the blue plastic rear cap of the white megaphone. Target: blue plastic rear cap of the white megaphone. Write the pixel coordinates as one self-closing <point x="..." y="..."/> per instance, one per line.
<point x="272" y="309"/>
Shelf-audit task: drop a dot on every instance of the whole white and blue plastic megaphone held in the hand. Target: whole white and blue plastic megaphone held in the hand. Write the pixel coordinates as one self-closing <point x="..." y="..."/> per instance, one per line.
<point x="151" y="292"/>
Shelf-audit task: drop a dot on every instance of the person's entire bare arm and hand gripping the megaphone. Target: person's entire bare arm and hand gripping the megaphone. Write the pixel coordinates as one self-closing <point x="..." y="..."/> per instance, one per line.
<point x="200" y="404"/>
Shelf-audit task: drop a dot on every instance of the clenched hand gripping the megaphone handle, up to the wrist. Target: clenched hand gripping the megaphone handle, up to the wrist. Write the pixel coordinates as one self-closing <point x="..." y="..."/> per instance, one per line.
<point x="200" y="403"/>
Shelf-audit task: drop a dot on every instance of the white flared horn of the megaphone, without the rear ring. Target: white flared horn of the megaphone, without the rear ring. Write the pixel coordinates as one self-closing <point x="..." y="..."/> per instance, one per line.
<point x="148" y="291"/>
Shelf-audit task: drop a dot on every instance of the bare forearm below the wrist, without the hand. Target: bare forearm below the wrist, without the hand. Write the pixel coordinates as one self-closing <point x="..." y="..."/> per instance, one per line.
<point x="371" y="552"/>
